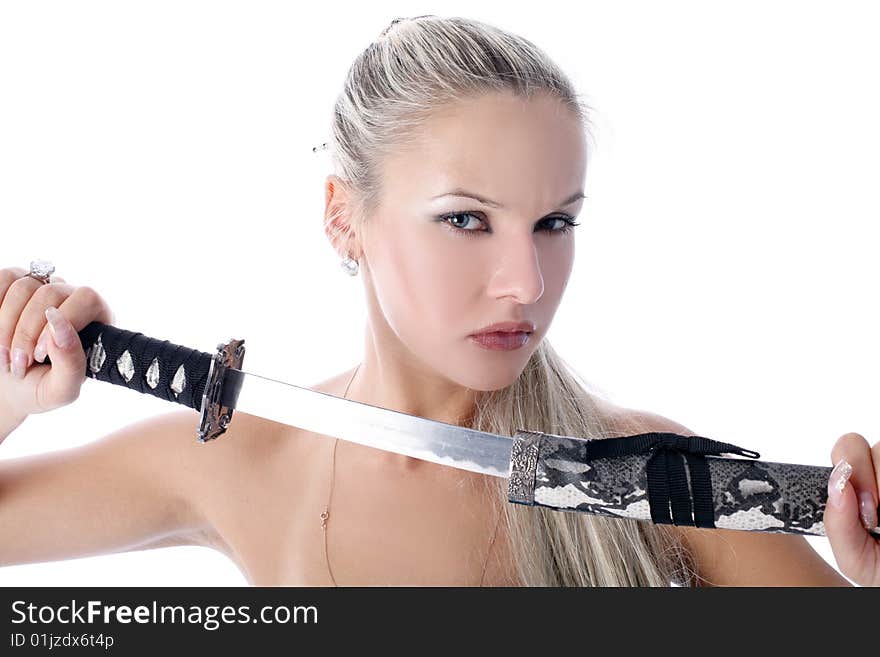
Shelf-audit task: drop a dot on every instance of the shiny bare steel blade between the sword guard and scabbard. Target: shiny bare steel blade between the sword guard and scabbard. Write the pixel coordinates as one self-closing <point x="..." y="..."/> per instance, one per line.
<point x="365" y="424"/>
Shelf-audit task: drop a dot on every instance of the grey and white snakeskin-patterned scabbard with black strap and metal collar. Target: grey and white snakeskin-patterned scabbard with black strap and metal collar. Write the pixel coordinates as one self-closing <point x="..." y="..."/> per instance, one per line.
<point x="668" y="479"/>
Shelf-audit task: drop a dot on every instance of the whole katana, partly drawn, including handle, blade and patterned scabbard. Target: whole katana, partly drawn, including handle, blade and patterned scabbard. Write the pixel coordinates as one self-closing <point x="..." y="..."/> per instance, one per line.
<point x="662" y="477"/>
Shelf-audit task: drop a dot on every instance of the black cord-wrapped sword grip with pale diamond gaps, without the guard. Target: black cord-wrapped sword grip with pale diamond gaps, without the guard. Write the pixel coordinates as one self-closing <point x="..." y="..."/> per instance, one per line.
<point x="154" y="367"/>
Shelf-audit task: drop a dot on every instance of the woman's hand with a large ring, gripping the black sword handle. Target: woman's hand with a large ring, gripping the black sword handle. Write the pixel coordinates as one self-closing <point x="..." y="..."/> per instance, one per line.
<point x="29" y="387"/>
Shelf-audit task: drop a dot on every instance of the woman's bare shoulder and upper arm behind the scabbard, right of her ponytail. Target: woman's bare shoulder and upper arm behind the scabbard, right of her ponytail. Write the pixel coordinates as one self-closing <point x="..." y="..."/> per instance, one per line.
<point x="727" y="557"/>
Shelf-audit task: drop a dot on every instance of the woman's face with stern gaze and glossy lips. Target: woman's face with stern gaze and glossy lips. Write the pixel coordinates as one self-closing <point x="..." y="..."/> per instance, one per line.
<point x="432" y="282"/>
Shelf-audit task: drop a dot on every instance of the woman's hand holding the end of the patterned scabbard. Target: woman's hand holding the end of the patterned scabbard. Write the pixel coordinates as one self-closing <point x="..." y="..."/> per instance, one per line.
<point x="852" y="508"/>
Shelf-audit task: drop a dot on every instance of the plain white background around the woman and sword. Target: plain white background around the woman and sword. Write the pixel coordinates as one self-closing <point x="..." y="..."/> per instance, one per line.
<point x="726" y="267"/>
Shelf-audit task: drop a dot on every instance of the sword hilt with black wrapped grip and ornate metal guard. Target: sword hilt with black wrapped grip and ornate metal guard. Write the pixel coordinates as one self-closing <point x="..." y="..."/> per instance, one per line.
<point x="165" y="370"/>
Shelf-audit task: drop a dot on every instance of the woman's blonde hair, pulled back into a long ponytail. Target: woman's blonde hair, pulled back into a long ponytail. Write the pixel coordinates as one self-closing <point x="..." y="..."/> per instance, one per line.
<point x="415" y="66"/>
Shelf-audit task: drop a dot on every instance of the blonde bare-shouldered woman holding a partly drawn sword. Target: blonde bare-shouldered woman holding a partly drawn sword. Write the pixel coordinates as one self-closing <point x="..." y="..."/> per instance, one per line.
<point x="460" y="155"/>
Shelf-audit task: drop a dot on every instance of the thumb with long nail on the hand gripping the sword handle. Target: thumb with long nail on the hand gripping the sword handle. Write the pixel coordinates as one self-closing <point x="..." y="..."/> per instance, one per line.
<point x="61" y="385"/>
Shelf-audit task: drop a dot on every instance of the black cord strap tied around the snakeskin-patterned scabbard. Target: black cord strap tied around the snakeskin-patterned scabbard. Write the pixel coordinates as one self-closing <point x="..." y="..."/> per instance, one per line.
<point x="667" y="480"/>
